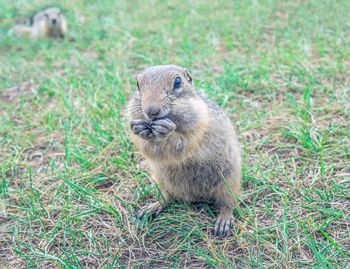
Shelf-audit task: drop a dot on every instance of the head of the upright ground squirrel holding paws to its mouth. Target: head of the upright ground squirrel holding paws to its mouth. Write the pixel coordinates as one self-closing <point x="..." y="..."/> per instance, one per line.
<point x="162" y="87"/>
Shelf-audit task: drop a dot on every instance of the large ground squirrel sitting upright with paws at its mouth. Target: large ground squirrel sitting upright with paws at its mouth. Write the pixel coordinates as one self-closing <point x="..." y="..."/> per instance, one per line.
<point x="188" y="141"/>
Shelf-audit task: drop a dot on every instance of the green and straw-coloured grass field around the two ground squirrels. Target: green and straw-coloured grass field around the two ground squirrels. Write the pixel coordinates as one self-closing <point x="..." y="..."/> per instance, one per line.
<point x="71" y="182"/>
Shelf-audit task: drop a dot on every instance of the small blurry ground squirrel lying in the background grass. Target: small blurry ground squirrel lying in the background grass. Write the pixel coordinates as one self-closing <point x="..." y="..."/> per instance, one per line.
<point x="47" y="23"/>
